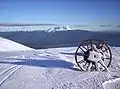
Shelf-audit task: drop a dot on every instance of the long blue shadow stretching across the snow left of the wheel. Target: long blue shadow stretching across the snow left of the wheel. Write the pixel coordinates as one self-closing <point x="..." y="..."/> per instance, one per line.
<point x="42" y="63"/>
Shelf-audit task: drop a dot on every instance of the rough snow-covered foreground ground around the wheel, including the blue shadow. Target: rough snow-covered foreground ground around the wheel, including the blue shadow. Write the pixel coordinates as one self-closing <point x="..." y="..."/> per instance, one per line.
<point x="53" y="68"/>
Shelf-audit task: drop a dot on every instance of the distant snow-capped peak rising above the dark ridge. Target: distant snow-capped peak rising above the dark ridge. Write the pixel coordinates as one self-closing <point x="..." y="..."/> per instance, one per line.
<point x="59" y="28"/>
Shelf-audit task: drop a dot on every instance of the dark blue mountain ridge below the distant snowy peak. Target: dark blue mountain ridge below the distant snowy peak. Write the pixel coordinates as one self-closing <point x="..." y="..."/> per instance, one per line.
<point x="61" y="38"/>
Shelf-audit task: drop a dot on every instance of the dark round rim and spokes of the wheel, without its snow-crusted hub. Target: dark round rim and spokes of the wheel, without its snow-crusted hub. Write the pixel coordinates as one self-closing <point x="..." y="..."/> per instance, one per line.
<point x="82" y="54"/>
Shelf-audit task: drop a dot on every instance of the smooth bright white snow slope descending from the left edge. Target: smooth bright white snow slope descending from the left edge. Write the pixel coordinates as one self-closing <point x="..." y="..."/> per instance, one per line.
<point x="8" y="45"/>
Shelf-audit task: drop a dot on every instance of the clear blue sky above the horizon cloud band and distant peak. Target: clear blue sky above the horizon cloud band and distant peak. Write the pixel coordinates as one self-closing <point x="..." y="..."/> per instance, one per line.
<point x="85" y="12"/>
